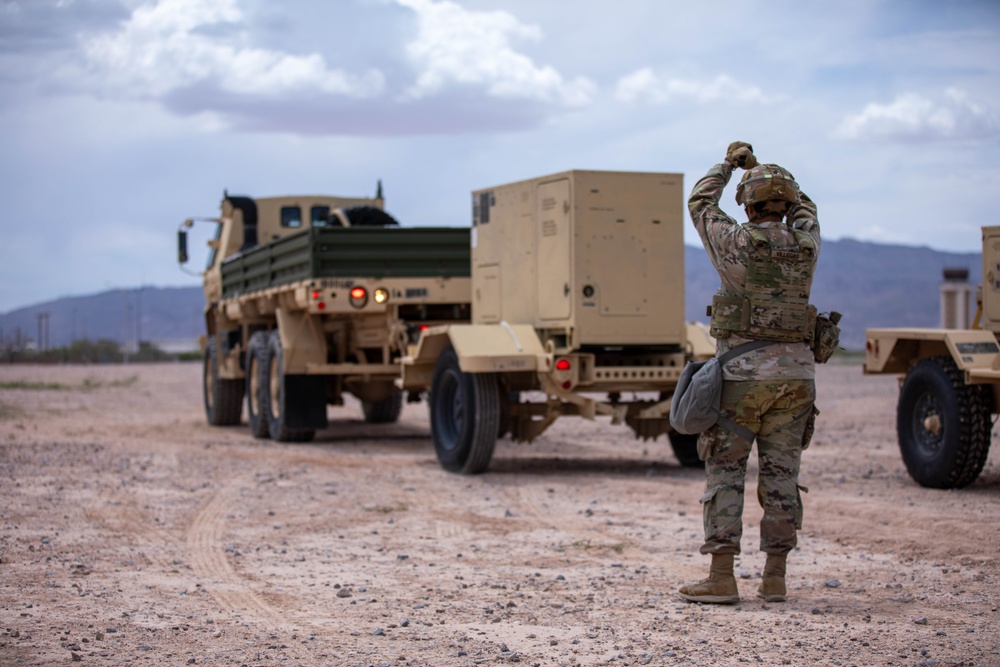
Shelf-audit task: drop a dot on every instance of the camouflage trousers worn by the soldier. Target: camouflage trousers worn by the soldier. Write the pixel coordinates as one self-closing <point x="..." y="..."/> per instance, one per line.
<point x="777" y="411"/>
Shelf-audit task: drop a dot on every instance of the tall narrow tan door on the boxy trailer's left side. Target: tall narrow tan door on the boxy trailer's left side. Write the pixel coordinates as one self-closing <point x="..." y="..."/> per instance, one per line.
<point x="552" y="242"/>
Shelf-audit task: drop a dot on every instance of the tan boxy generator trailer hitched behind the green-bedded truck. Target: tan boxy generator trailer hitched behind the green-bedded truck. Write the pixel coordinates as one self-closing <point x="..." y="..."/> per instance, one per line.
<point x="577" y="309"/>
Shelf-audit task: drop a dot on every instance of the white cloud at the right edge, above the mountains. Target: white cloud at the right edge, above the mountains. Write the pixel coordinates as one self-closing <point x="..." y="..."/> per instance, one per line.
<point x="913" y="118"/>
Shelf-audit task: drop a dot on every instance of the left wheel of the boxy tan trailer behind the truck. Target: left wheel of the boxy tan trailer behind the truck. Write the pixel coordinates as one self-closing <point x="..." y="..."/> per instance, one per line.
<point x="465" y="415"/>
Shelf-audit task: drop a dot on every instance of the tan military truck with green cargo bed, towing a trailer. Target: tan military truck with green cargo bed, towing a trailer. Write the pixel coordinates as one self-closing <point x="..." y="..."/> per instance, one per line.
<point x="309" y="297"/>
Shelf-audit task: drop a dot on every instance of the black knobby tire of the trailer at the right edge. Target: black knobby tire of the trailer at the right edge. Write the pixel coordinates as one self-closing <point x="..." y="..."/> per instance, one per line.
<point x="943" y="425"/>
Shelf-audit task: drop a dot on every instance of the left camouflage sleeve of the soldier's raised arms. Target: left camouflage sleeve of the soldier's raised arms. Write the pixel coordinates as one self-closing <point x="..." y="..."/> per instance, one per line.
<point x="720" y="234"/>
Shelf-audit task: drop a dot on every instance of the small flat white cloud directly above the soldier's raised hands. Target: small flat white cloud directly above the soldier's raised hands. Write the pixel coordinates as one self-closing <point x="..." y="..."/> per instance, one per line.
<point x="645" y="86"/>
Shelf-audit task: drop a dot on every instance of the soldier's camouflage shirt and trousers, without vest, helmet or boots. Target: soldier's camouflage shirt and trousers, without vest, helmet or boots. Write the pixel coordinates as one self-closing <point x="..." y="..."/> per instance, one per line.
<point x="769" y="391"/>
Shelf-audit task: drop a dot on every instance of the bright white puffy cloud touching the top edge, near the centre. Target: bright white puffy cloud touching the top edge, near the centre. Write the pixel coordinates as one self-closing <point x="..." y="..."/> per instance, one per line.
<point x="458" y="46"/>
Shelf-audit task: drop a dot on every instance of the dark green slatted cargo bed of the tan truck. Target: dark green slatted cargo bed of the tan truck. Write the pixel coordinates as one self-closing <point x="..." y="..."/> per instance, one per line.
<point x="350" y="252"/>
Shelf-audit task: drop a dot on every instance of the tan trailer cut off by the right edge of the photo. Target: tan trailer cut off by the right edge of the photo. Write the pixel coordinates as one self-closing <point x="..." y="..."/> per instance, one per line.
<point x="949" y="385"/>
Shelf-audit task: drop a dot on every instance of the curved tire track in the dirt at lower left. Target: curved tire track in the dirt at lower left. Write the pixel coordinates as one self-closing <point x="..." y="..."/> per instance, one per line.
<point x="205" y="543"/>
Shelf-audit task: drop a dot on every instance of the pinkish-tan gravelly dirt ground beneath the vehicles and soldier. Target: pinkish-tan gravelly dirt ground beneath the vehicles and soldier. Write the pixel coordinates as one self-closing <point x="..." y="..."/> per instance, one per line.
<point x="132" y="533"/>
